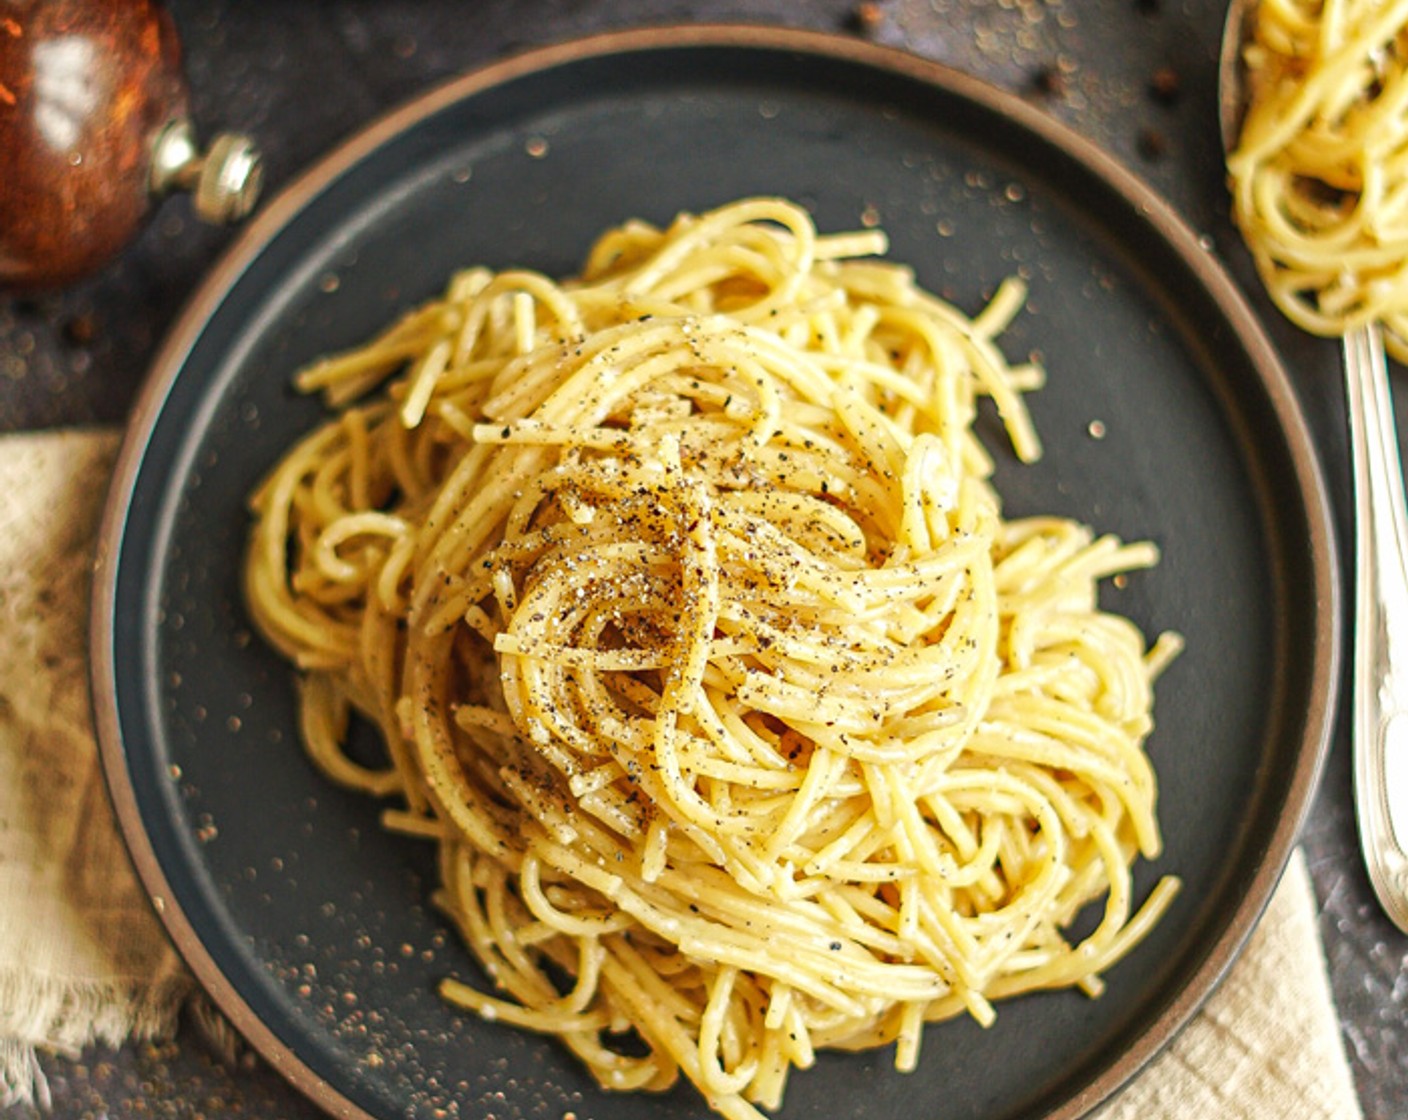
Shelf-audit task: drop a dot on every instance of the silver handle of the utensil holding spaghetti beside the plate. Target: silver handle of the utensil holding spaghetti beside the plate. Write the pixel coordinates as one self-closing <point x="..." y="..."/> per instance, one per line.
<point x="1381" y="697"/>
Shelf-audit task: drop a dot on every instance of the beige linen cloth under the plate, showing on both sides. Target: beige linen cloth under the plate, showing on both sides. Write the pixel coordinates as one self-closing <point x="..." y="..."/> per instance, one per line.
<point x="82" y="959"/>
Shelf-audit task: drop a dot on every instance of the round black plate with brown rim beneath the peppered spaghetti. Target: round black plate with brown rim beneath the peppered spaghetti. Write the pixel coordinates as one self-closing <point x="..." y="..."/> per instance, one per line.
<point x="315" y="932"/>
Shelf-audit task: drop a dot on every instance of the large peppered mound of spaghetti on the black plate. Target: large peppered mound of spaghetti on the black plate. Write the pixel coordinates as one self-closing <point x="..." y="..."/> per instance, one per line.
<point x="744" y="722"/>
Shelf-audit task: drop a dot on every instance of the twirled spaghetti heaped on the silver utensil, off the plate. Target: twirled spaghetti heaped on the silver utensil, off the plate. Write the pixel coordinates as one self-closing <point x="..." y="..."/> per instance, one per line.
<point x="1320" y="174"/>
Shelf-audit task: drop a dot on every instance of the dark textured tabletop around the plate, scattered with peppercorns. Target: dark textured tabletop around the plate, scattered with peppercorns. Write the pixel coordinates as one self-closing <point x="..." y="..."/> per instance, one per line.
<point x="1140" y="77"/>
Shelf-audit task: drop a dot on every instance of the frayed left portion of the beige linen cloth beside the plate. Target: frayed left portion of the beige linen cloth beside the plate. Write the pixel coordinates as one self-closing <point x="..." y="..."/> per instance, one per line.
<point x="82" y="957"/>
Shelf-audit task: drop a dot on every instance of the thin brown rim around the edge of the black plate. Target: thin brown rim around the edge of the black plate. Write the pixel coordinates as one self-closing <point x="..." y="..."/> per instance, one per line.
<point x="1152" y="208"/>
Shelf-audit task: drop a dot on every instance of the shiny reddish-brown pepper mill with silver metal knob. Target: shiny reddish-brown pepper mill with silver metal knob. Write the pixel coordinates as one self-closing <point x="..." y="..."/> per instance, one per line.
<point x="95" y="127"/>
